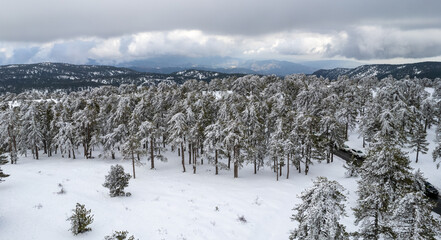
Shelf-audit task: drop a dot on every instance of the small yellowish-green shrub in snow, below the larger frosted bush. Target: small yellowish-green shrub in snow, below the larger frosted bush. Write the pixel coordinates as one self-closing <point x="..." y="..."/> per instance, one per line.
<point x="80" y="220"/>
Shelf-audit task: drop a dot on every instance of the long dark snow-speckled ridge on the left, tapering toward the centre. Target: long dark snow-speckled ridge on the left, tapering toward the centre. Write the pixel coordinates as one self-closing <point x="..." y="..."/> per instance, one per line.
<point x="52" y="76"/>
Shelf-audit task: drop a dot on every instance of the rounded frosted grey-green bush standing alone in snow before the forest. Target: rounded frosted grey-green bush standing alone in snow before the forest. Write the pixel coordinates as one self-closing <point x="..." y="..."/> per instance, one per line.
<point x="117" y="180"/>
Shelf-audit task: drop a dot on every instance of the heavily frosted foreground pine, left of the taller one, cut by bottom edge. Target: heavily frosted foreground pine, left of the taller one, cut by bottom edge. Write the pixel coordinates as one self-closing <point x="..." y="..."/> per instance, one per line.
<point x="320" y="212"/>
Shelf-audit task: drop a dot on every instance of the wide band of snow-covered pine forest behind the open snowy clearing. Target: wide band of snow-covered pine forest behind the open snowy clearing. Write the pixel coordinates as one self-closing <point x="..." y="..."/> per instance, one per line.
<point x="258" y="120"/>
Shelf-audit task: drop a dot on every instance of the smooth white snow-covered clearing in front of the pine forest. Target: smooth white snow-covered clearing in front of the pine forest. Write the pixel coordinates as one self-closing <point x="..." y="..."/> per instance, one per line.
<point x="165" y="203"/>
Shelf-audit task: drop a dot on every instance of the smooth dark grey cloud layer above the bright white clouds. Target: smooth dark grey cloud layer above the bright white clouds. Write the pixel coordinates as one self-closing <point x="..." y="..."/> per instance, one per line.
<point x="47" y="20"/>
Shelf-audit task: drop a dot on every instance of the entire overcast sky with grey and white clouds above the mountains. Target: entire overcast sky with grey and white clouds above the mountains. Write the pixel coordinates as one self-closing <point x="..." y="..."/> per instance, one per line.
<point x="114" y="31"/>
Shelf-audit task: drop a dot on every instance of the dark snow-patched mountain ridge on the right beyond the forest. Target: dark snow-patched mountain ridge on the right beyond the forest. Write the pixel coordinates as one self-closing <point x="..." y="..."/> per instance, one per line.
<point x="430" y="70"/>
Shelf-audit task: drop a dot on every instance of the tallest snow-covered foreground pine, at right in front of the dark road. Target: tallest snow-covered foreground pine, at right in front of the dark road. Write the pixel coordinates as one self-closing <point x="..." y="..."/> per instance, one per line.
<point x="385" y="178"/>
